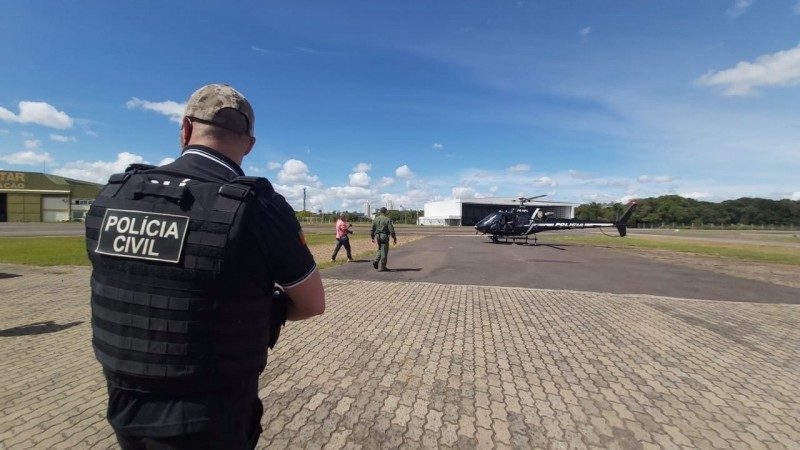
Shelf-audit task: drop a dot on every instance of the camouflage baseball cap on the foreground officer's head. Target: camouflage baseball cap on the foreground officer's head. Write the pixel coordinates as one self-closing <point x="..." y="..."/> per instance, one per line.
<point x="223" y="106"/>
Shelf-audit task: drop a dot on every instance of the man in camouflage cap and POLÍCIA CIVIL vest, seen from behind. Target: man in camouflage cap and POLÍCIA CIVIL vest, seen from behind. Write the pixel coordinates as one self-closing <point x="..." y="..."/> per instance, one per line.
<point x="186" y="258"/>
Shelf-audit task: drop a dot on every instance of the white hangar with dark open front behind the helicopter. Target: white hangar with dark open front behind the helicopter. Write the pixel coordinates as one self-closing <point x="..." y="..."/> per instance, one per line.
<point x="458" y="212"/>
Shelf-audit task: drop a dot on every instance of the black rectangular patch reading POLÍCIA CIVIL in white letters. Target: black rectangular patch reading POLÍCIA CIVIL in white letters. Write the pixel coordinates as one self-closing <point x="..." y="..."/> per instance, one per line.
<point x="142" y="235"/>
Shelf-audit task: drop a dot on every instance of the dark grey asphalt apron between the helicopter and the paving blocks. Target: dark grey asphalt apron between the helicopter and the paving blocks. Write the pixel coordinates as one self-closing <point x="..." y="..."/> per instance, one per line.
<point x="473" y="259"/>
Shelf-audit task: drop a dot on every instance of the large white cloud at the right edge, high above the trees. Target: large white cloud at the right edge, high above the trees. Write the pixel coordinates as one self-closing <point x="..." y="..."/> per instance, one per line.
<point x="774" y="69"/>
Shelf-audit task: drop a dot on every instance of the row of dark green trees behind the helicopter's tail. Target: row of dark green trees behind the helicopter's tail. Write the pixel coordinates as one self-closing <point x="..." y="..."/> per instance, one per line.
<point x="687" y="211"/>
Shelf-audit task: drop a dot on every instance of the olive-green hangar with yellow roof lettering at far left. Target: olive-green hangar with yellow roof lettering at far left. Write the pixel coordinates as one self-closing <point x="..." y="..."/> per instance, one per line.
<point x="41" y="197"/>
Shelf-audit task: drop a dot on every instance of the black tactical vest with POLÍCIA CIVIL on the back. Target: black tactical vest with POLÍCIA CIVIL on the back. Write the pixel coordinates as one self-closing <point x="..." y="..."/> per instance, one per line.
<point x="181" y="296"/>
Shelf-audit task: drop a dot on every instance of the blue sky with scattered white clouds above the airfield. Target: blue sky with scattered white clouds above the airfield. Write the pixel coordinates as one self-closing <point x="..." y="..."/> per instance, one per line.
<point x="418" y="101"/>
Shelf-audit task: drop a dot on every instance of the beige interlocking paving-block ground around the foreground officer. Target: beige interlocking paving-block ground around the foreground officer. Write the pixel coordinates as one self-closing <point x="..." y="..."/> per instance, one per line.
<point x="418" y="364"/>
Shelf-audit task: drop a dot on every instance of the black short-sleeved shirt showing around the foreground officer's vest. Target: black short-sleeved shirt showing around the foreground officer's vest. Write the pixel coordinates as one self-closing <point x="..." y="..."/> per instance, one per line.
<point x="133" y="412"/>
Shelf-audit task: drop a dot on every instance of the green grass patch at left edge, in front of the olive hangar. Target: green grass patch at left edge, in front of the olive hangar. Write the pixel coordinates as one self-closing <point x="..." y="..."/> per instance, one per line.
<point x="44" y="251"/>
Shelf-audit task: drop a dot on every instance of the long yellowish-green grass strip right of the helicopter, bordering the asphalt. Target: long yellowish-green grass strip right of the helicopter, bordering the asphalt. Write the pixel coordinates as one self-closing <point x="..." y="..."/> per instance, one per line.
<point x="745" y="252"/>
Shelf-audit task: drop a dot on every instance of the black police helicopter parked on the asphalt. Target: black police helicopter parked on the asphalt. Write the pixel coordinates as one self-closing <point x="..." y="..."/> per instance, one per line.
<point x="519" y="223"/>
